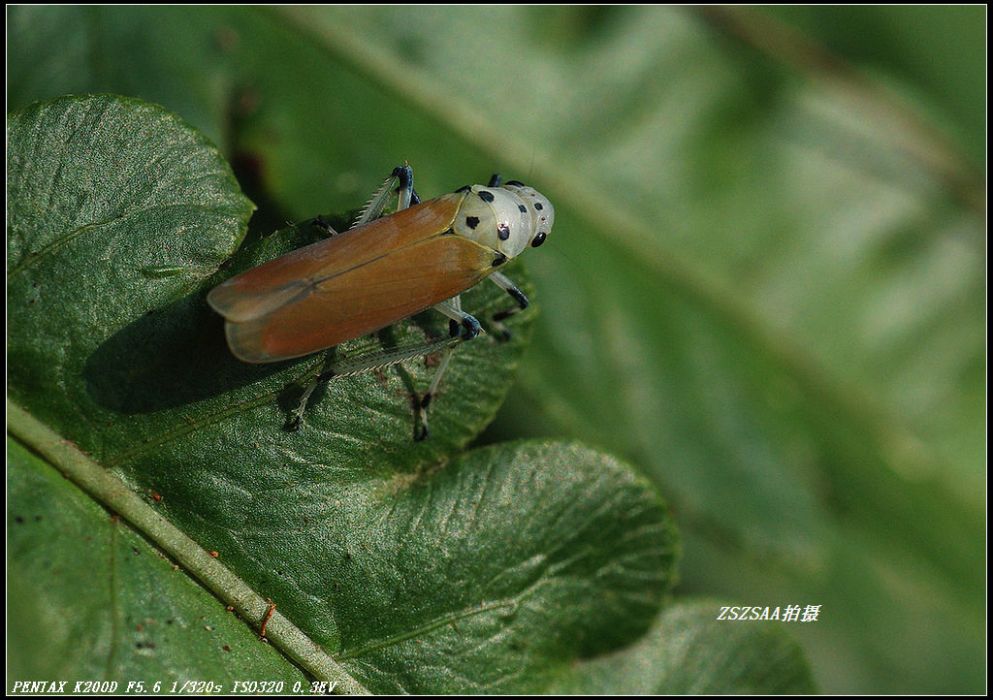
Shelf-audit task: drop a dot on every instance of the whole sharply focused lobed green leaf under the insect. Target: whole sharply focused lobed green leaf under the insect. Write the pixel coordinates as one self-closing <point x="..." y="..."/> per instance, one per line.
<point x="394" y="566"/>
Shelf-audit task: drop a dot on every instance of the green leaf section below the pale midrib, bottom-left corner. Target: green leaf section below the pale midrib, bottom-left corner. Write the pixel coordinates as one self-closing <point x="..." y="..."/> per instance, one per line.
<point x="135" y="618"/>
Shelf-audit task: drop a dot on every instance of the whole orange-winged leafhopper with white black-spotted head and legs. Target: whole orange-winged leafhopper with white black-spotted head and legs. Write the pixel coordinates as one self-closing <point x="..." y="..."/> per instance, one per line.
<point x="383" y="270"/>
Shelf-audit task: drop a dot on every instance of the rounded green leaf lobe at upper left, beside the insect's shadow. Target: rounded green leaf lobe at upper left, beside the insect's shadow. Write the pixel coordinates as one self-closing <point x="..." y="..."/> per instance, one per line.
<point x="117" y="208"/>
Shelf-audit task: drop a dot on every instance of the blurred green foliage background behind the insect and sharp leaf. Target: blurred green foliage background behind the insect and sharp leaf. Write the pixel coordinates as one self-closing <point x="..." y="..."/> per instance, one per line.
<point x="766" y="284"/>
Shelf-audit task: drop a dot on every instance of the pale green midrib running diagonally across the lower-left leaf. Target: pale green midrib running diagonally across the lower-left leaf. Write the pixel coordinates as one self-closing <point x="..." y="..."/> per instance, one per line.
<point x="115" y="495"/>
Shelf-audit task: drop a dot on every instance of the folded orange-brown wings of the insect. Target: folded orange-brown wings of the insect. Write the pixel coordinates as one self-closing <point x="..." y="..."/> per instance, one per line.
<point x="350" y="285"/>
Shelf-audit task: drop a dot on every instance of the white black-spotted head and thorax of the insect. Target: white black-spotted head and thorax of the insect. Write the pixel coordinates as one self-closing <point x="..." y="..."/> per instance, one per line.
<point x="507" y="219"/>
